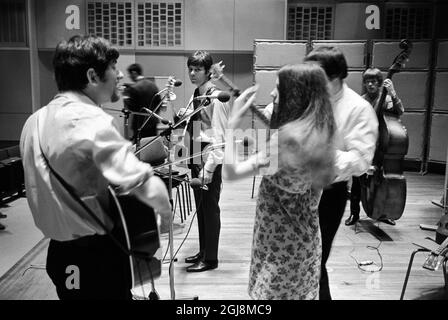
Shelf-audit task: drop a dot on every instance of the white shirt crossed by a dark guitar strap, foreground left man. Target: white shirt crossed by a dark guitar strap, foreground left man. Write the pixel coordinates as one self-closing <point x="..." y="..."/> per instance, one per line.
<point x="84" y="146"/>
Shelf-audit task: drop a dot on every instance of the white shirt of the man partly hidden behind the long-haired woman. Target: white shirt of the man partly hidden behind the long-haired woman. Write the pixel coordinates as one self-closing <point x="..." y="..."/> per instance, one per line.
<point x="356" y="133"/>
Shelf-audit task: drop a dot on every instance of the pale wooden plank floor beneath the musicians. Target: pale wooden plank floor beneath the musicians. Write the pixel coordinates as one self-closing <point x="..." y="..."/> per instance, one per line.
<point x="230" y="280"/>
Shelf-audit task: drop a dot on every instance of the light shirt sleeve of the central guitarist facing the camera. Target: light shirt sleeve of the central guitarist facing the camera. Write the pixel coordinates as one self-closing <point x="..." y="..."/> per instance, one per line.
<point x="219" y="120"/>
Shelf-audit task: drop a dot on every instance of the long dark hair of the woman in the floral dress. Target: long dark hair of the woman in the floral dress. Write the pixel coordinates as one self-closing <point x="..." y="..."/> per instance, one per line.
<point x="305" y="121"/>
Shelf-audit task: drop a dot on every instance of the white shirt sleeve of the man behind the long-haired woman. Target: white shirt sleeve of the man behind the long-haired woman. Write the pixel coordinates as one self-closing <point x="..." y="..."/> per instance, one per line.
<point x="360" y="136"/>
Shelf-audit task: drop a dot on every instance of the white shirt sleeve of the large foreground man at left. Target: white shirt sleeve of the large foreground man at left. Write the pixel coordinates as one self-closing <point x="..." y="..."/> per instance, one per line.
<point x="115" y="159"/>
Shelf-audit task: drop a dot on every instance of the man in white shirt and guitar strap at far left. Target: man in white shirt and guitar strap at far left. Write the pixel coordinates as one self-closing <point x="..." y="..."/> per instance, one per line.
<point x="83" y="146"/>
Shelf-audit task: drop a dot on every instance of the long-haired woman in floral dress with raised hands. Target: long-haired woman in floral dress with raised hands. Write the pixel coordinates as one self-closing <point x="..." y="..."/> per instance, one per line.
<point x="286" y="248"/>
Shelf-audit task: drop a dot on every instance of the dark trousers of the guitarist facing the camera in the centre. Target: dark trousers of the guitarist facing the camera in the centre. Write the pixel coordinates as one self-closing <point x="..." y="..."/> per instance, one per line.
<point x="209" y="214"/>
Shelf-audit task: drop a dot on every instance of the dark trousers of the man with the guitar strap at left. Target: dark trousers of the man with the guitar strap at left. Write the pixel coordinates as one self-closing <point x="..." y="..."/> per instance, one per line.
<point x="95" y="263"/>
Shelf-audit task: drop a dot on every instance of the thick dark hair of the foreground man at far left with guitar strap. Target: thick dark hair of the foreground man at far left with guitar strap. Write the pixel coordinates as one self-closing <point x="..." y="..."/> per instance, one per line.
<point x="74" y="57"/>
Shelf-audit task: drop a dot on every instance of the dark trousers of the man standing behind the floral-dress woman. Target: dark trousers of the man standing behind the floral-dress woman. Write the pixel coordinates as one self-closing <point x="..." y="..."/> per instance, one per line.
<point x="331" y="209"/>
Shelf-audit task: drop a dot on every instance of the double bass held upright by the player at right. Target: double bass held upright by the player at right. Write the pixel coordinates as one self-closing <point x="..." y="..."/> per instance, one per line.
<point x="383" y="188"/>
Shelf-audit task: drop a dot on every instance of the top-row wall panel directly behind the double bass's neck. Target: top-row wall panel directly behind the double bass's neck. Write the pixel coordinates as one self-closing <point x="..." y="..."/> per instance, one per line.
<point x="384" y="53"/>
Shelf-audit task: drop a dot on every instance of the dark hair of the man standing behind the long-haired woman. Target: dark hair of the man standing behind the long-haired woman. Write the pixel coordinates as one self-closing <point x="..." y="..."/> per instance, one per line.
<point x="331" y="59"/>
